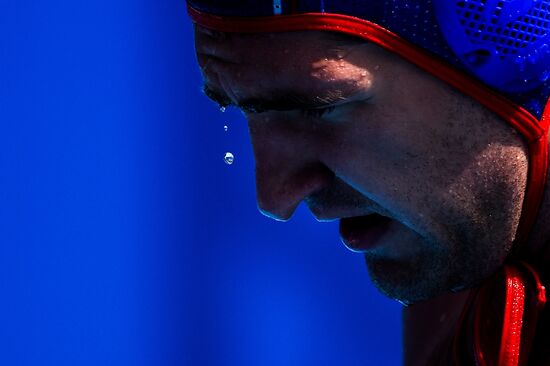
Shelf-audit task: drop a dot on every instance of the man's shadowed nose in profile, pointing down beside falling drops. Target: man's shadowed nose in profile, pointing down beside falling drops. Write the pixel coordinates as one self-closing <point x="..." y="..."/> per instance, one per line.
<point x="288" y="168"/>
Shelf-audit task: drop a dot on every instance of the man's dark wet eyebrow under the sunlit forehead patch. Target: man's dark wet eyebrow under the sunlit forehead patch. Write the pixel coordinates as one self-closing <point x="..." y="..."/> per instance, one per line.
<point x="280" y="100"/>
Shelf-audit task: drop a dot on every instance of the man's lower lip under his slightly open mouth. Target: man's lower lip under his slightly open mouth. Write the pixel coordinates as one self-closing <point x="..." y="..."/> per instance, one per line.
<point x="362" y="233"/>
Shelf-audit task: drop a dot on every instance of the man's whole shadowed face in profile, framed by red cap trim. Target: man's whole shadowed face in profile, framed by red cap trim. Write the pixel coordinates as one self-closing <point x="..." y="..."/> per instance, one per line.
<point x="426" y="183"/>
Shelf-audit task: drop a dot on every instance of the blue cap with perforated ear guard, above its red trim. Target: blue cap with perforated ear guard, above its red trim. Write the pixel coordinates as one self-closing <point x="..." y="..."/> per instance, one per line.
<point x="503" y="43"/>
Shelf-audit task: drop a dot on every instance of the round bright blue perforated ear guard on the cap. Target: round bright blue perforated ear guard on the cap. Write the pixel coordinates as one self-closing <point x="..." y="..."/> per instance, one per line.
<point x="505" y="43"/>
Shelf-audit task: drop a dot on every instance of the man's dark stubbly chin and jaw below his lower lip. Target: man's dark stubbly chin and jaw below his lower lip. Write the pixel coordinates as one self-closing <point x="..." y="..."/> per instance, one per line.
<point x="426" y="269"/>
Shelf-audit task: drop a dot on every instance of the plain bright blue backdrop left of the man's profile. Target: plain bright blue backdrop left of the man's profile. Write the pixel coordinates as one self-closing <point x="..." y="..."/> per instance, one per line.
<point x="125" y="239"/>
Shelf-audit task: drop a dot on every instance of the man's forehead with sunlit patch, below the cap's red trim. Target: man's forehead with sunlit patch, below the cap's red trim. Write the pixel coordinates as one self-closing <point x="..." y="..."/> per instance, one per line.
<point x="242" y="64"/>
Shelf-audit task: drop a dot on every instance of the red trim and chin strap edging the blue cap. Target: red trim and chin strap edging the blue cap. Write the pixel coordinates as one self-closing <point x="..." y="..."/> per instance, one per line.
<point x="534" y="131"/>
